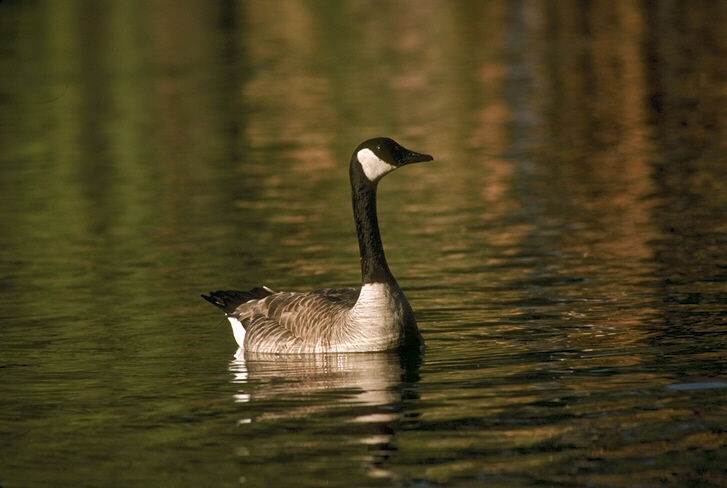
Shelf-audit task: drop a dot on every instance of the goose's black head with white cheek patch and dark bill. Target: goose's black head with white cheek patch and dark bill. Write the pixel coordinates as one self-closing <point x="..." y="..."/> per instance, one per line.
<point x="377" y="157"/>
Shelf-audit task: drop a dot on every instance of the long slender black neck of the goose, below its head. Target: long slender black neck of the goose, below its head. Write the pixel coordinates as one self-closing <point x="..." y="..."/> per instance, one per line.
<point x="373" y="262"/>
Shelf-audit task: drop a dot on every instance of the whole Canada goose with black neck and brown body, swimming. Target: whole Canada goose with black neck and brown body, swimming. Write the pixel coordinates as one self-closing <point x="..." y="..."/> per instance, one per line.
<point x="376" y="317"/>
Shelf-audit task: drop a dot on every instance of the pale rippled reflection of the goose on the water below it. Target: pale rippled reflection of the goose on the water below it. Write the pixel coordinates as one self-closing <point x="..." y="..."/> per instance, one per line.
<point x="362" y="393"/>
